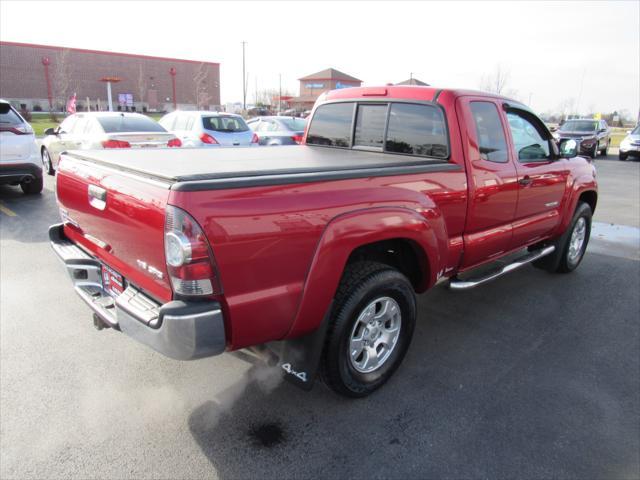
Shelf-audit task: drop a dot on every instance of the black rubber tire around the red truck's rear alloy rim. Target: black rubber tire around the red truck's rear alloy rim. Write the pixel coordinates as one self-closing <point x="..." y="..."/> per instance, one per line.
<point x="362" y="284"/>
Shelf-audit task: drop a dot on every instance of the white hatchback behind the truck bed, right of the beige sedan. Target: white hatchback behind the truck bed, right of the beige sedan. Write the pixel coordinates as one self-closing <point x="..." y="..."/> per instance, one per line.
<point x="207" y="129"/>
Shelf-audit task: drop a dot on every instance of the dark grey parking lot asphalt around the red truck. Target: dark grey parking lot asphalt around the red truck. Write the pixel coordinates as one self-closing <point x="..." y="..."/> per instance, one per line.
<point x="531" y="376"/>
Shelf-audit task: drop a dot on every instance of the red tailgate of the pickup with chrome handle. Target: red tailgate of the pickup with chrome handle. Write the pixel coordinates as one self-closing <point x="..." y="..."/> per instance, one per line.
<point x="119" y="218"/>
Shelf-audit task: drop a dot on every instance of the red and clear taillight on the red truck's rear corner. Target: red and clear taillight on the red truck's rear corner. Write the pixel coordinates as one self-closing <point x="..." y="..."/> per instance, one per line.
<point x="190" y="261"/>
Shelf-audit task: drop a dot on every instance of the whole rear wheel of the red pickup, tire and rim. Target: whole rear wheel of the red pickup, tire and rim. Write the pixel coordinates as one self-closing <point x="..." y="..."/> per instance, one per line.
<point x="370" y="329"/>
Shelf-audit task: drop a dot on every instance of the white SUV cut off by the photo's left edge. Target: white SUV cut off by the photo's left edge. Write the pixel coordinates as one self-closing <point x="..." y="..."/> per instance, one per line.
<point x="19" y="157"/>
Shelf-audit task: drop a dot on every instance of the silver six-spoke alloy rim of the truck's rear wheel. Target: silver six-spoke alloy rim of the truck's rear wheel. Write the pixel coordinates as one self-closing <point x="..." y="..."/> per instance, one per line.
<point x="375" y="334"/>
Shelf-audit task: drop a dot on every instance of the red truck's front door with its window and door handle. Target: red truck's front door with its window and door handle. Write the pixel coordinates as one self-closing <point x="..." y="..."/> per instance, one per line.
<point x="542" y="178"/>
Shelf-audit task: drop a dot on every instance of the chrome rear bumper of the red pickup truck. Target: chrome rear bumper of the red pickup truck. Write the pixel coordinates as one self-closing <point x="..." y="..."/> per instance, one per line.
<point x="180" y="330"/>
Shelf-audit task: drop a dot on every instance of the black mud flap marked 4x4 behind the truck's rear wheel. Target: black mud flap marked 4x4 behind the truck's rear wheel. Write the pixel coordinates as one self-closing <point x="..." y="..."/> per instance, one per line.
<point x="300" y="357"/>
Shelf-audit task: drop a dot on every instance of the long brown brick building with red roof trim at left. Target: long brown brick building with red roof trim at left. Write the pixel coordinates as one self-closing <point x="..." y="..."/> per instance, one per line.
<point x="43" y="77"/>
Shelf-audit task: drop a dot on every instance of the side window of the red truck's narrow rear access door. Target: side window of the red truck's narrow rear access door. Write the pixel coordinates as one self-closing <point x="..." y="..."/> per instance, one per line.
<point x="491" y="141"/>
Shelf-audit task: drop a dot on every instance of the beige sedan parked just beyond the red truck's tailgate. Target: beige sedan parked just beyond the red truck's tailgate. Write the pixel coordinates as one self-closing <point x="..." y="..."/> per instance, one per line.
<point x="97" y="130"/>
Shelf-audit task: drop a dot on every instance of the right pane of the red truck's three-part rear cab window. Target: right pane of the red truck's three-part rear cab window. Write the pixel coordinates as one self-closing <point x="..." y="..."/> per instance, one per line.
<point x="416" y="130"/>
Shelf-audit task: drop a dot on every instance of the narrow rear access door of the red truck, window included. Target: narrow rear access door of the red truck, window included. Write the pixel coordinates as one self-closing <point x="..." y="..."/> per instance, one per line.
<point x="492" y="178"/>
